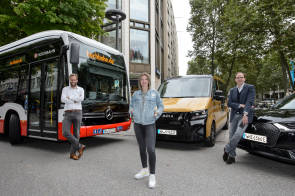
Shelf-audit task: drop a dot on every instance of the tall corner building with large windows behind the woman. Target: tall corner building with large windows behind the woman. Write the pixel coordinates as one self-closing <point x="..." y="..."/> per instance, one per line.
<point x="147" y="38"/>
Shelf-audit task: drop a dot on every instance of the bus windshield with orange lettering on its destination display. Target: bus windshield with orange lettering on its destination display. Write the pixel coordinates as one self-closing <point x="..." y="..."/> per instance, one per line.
<point x="102" y="75"/>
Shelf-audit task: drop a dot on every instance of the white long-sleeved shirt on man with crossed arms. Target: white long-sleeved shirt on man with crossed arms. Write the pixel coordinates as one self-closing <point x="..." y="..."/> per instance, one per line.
<point x="72" y="97"/>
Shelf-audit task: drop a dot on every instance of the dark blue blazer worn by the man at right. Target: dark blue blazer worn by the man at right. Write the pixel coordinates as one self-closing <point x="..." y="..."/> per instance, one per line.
<point x="247" y="97"/>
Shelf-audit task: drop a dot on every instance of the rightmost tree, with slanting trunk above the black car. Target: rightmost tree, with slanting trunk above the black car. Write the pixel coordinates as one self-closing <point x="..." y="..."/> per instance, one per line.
<point x="276" y="19"/>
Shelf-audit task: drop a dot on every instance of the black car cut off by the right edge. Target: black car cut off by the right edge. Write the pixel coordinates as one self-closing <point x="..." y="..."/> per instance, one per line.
<point x="272" y="132"/>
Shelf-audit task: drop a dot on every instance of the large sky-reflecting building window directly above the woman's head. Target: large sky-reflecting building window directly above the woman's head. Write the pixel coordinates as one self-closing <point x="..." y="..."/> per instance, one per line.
<point x="139" y="46"/>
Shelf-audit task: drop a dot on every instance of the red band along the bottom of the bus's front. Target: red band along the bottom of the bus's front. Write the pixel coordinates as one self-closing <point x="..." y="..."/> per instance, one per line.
<point x="88" y="131"/>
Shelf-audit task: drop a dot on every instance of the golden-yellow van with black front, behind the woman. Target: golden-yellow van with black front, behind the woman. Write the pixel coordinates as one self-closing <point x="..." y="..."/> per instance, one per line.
<point x="195" y="109"/>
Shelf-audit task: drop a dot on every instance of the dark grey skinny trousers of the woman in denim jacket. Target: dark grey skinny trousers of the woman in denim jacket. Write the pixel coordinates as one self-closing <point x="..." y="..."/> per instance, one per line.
<point x="146" y="139"/>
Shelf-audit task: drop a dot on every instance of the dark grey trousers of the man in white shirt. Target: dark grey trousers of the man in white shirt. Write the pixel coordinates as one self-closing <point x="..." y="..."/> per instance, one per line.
<point x="72" y="118"/>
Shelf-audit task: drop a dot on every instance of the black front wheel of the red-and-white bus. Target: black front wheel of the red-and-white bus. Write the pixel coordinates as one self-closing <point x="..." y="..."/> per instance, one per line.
<point x="14" y="129"/>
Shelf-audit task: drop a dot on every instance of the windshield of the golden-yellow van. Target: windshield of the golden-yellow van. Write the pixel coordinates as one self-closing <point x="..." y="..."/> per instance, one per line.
<point x="185" y="87"/>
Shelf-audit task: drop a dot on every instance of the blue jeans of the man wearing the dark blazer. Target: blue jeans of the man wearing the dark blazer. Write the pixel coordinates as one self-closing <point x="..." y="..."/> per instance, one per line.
<point x="235" y="134"/>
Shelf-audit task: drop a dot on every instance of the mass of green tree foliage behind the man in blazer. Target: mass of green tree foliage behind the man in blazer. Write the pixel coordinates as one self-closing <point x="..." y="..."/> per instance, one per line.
<point x="256" y="37"/>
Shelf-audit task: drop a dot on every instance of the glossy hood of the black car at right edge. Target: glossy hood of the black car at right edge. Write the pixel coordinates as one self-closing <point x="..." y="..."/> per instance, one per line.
<point x="276" y="115"/>
